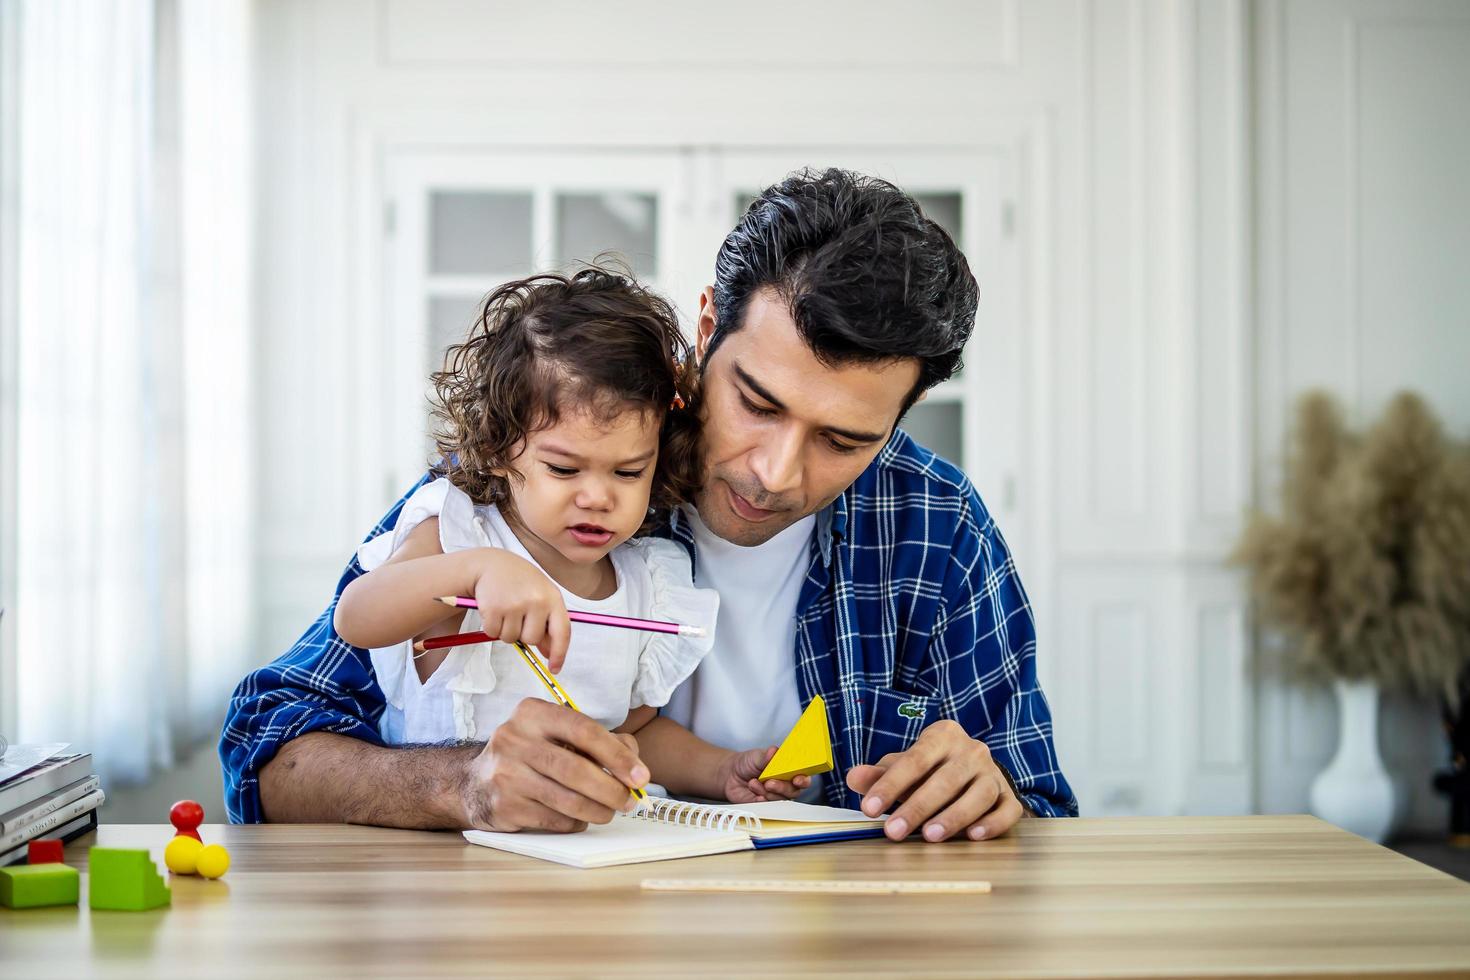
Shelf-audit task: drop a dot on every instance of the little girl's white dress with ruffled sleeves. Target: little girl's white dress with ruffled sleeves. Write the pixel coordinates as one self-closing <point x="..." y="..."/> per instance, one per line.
<point x="608" y="671"/>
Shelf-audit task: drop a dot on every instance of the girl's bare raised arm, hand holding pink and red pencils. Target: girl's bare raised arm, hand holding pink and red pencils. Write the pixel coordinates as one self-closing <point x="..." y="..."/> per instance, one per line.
<point x="398" y="600"/>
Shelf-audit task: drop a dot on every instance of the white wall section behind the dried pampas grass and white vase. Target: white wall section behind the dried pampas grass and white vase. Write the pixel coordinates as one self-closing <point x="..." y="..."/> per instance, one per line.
<point x="1363" y="281"/>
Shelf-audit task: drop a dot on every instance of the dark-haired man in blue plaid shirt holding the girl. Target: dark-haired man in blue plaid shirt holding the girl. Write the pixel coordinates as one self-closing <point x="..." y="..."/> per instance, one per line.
<point x="850" y="563"/>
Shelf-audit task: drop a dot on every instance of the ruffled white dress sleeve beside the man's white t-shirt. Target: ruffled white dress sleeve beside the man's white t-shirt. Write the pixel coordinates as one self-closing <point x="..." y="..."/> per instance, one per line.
<point x="668" y="659"/>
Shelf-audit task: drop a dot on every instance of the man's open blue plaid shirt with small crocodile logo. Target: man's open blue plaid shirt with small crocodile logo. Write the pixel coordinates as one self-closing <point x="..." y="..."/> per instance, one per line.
<point x="912" y="612"/>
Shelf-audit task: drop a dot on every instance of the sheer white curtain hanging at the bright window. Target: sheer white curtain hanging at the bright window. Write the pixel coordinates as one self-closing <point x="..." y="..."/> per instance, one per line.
<point x="133" y="442"/>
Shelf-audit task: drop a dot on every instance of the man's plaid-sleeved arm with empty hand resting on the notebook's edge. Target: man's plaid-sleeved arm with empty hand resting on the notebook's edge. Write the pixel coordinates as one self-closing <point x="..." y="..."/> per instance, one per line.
<point x="992" y="762"/>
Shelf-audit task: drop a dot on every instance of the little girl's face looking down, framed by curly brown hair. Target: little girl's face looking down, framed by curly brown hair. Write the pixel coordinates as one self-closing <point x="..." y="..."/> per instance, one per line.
<point x="584" y="486"/>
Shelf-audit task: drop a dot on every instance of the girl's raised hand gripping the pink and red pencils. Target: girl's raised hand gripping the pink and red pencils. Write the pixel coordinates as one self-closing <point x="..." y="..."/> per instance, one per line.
<point x="518" y="603"/>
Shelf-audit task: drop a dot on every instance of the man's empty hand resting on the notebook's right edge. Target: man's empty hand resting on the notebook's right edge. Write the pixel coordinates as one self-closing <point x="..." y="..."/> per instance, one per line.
<point x="947" y="784"/>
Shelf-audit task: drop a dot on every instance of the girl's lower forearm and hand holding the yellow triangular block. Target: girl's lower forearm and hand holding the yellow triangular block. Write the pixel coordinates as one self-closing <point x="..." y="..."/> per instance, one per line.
<point x="689" y="766"/>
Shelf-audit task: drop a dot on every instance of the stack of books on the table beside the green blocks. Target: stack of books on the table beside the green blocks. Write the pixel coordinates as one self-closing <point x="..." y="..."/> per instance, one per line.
<point x="57" y="799"/>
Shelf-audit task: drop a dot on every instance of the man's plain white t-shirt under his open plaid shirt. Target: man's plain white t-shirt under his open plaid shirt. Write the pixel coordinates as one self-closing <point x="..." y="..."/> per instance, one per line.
<point x="745" y="694"/>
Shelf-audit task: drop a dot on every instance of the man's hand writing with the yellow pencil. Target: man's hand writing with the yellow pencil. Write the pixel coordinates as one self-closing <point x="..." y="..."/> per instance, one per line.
<point x="545" y="769"/>
